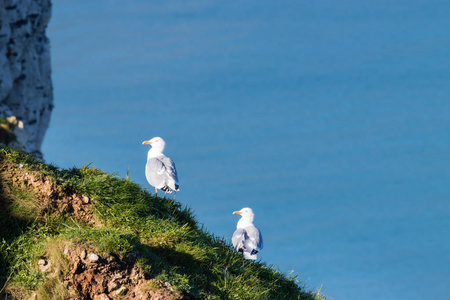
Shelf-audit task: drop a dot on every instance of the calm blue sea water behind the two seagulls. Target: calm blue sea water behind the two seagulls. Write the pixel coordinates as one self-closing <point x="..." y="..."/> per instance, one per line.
<point x="330" y="119"/>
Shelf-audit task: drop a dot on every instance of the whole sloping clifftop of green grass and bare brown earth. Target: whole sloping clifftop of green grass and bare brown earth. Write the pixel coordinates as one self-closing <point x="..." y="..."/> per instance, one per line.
<point x="86" y="234"/>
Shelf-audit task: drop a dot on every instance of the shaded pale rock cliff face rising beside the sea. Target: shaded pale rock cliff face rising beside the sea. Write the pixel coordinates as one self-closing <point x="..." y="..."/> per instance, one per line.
<point x="26" y="91"/>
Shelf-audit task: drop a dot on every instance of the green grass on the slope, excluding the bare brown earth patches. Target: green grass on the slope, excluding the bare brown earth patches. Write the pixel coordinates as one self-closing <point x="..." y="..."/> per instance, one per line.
<point x="170" y="245"/>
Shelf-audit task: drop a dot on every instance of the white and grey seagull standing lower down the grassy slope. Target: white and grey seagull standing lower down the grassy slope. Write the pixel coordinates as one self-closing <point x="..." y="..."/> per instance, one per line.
<point x="247" y="238"/>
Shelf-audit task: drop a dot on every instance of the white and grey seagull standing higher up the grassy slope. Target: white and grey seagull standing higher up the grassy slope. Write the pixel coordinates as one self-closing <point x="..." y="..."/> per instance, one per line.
<point x="160" y="170"/>
